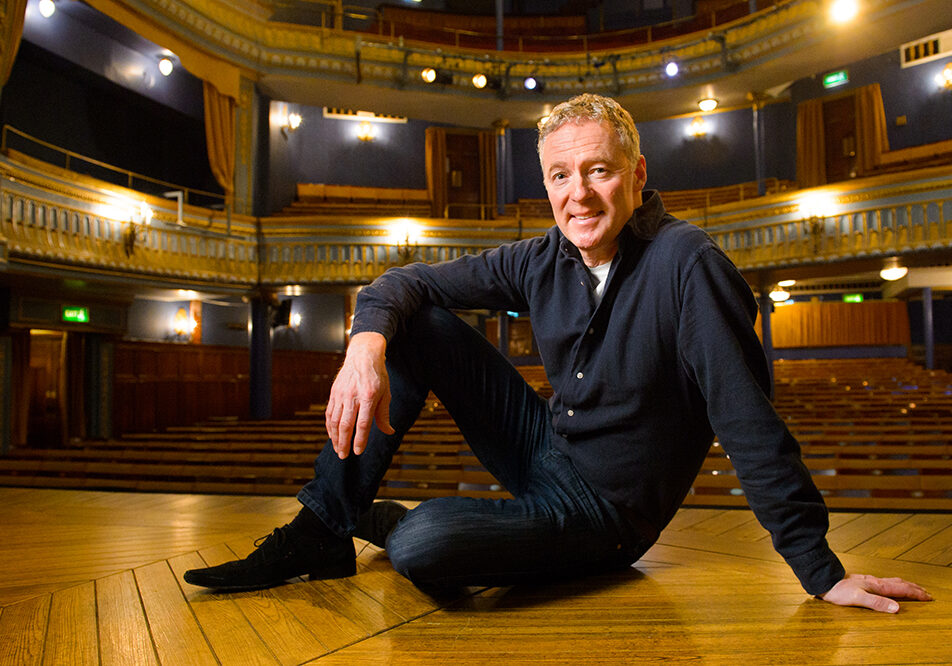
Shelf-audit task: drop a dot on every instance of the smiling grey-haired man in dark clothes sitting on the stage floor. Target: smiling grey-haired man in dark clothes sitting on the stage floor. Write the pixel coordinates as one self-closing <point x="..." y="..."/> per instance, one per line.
<point x="646" y="332"/>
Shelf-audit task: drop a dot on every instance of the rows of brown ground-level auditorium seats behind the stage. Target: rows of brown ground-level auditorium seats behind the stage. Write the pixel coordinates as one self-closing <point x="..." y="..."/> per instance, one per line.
<point x="862" y="439"/>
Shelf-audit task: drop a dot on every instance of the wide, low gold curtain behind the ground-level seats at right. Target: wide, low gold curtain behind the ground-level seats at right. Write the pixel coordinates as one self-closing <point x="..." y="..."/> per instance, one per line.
<point x="878" y="323"/>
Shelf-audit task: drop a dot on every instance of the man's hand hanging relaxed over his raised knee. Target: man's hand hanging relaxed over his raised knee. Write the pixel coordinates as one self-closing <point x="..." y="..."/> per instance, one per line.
<point x="360" y="395"/>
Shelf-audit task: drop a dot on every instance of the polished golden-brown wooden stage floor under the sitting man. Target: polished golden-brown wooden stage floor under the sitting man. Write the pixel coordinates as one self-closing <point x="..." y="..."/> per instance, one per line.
<point x="96" y="578"/>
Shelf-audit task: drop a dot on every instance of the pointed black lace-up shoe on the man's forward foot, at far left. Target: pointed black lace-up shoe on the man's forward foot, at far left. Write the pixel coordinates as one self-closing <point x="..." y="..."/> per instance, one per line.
<point x="283" y="554"/>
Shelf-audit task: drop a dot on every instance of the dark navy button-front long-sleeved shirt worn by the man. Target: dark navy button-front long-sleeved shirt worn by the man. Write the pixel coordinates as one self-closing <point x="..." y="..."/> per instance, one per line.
<point x="643" y="380"/>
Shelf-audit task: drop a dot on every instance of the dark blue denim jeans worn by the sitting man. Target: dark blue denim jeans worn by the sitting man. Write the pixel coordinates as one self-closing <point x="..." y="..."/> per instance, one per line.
<point x="556" y="525"/>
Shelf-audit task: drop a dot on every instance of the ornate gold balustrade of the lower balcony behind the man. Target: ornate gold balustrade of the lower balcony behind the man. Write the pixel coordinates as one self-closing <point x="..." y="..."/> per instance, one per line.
<point x="55" y="225"/>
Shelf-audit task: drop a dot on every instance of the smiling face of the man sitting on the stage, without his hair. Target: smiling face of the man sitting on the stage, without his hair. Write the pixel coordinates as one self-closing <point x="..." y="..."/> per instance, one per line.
<point x="592" y="186"/>
